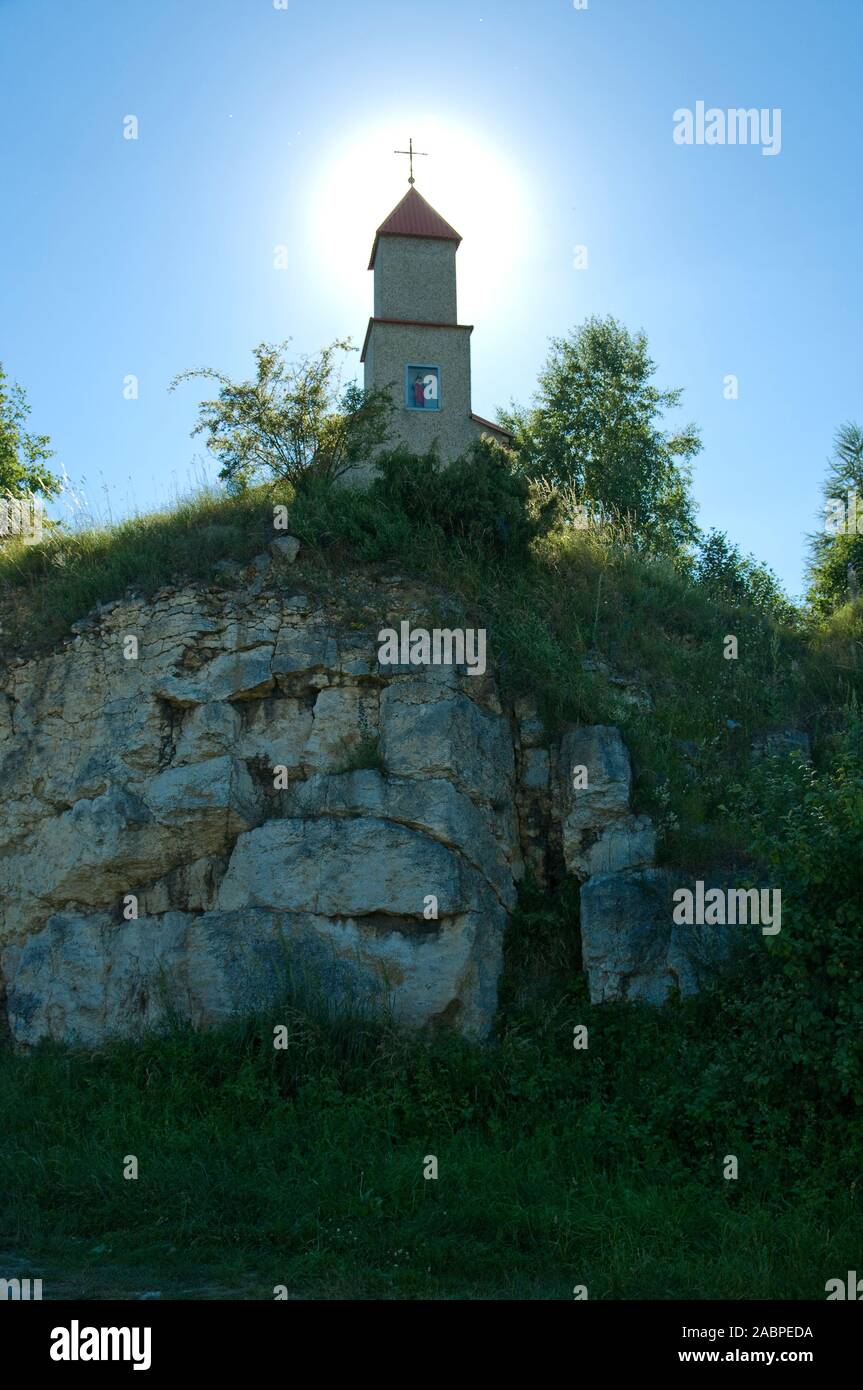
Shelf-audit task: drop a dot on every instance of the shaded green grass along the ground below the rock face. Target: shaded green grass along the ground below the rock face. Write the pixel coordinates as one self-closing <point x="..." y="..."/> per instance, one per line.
<point x="305" y="1167"/>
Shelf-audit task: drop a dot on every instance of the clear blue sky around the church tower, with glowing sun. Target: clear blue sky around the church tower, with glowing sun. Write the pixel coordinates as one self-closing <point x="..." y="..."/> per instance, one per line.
<point x="548" y="129"/>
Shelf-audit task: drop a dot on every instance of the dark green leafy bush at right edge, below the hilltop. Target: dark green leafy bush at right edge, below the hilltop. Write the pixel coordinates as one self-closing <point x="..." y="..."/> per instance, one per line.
<point x="776" y="1054"/>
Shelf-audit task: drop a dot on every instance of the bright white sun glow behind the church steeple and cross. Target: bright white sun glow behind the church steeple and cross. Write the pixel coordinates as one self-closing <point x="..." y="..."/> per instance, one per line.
<point x="466" y="179"/>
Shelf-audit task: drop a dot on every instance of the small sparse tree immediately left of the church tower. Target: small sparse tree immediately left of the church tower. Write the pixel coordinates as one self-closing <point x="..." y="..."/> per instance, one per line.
<point x="293" y="420"/>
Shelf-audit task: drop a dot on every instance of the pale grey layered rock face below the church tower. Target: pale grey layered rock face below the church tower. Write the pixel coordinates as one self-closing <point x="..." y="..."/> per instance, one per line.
<point x="213" y="789"/>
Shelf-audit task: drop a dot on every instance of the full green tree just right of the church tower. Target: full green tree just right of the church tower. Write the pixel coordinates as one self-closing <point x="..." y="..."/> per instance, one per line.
<point x="597" y="427"/>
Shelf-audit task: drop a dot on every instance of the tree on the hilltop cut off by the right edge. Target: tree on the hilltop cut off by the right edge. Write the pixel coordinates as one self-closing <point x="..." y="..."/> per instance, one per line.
<point x="836" y="569"/>
